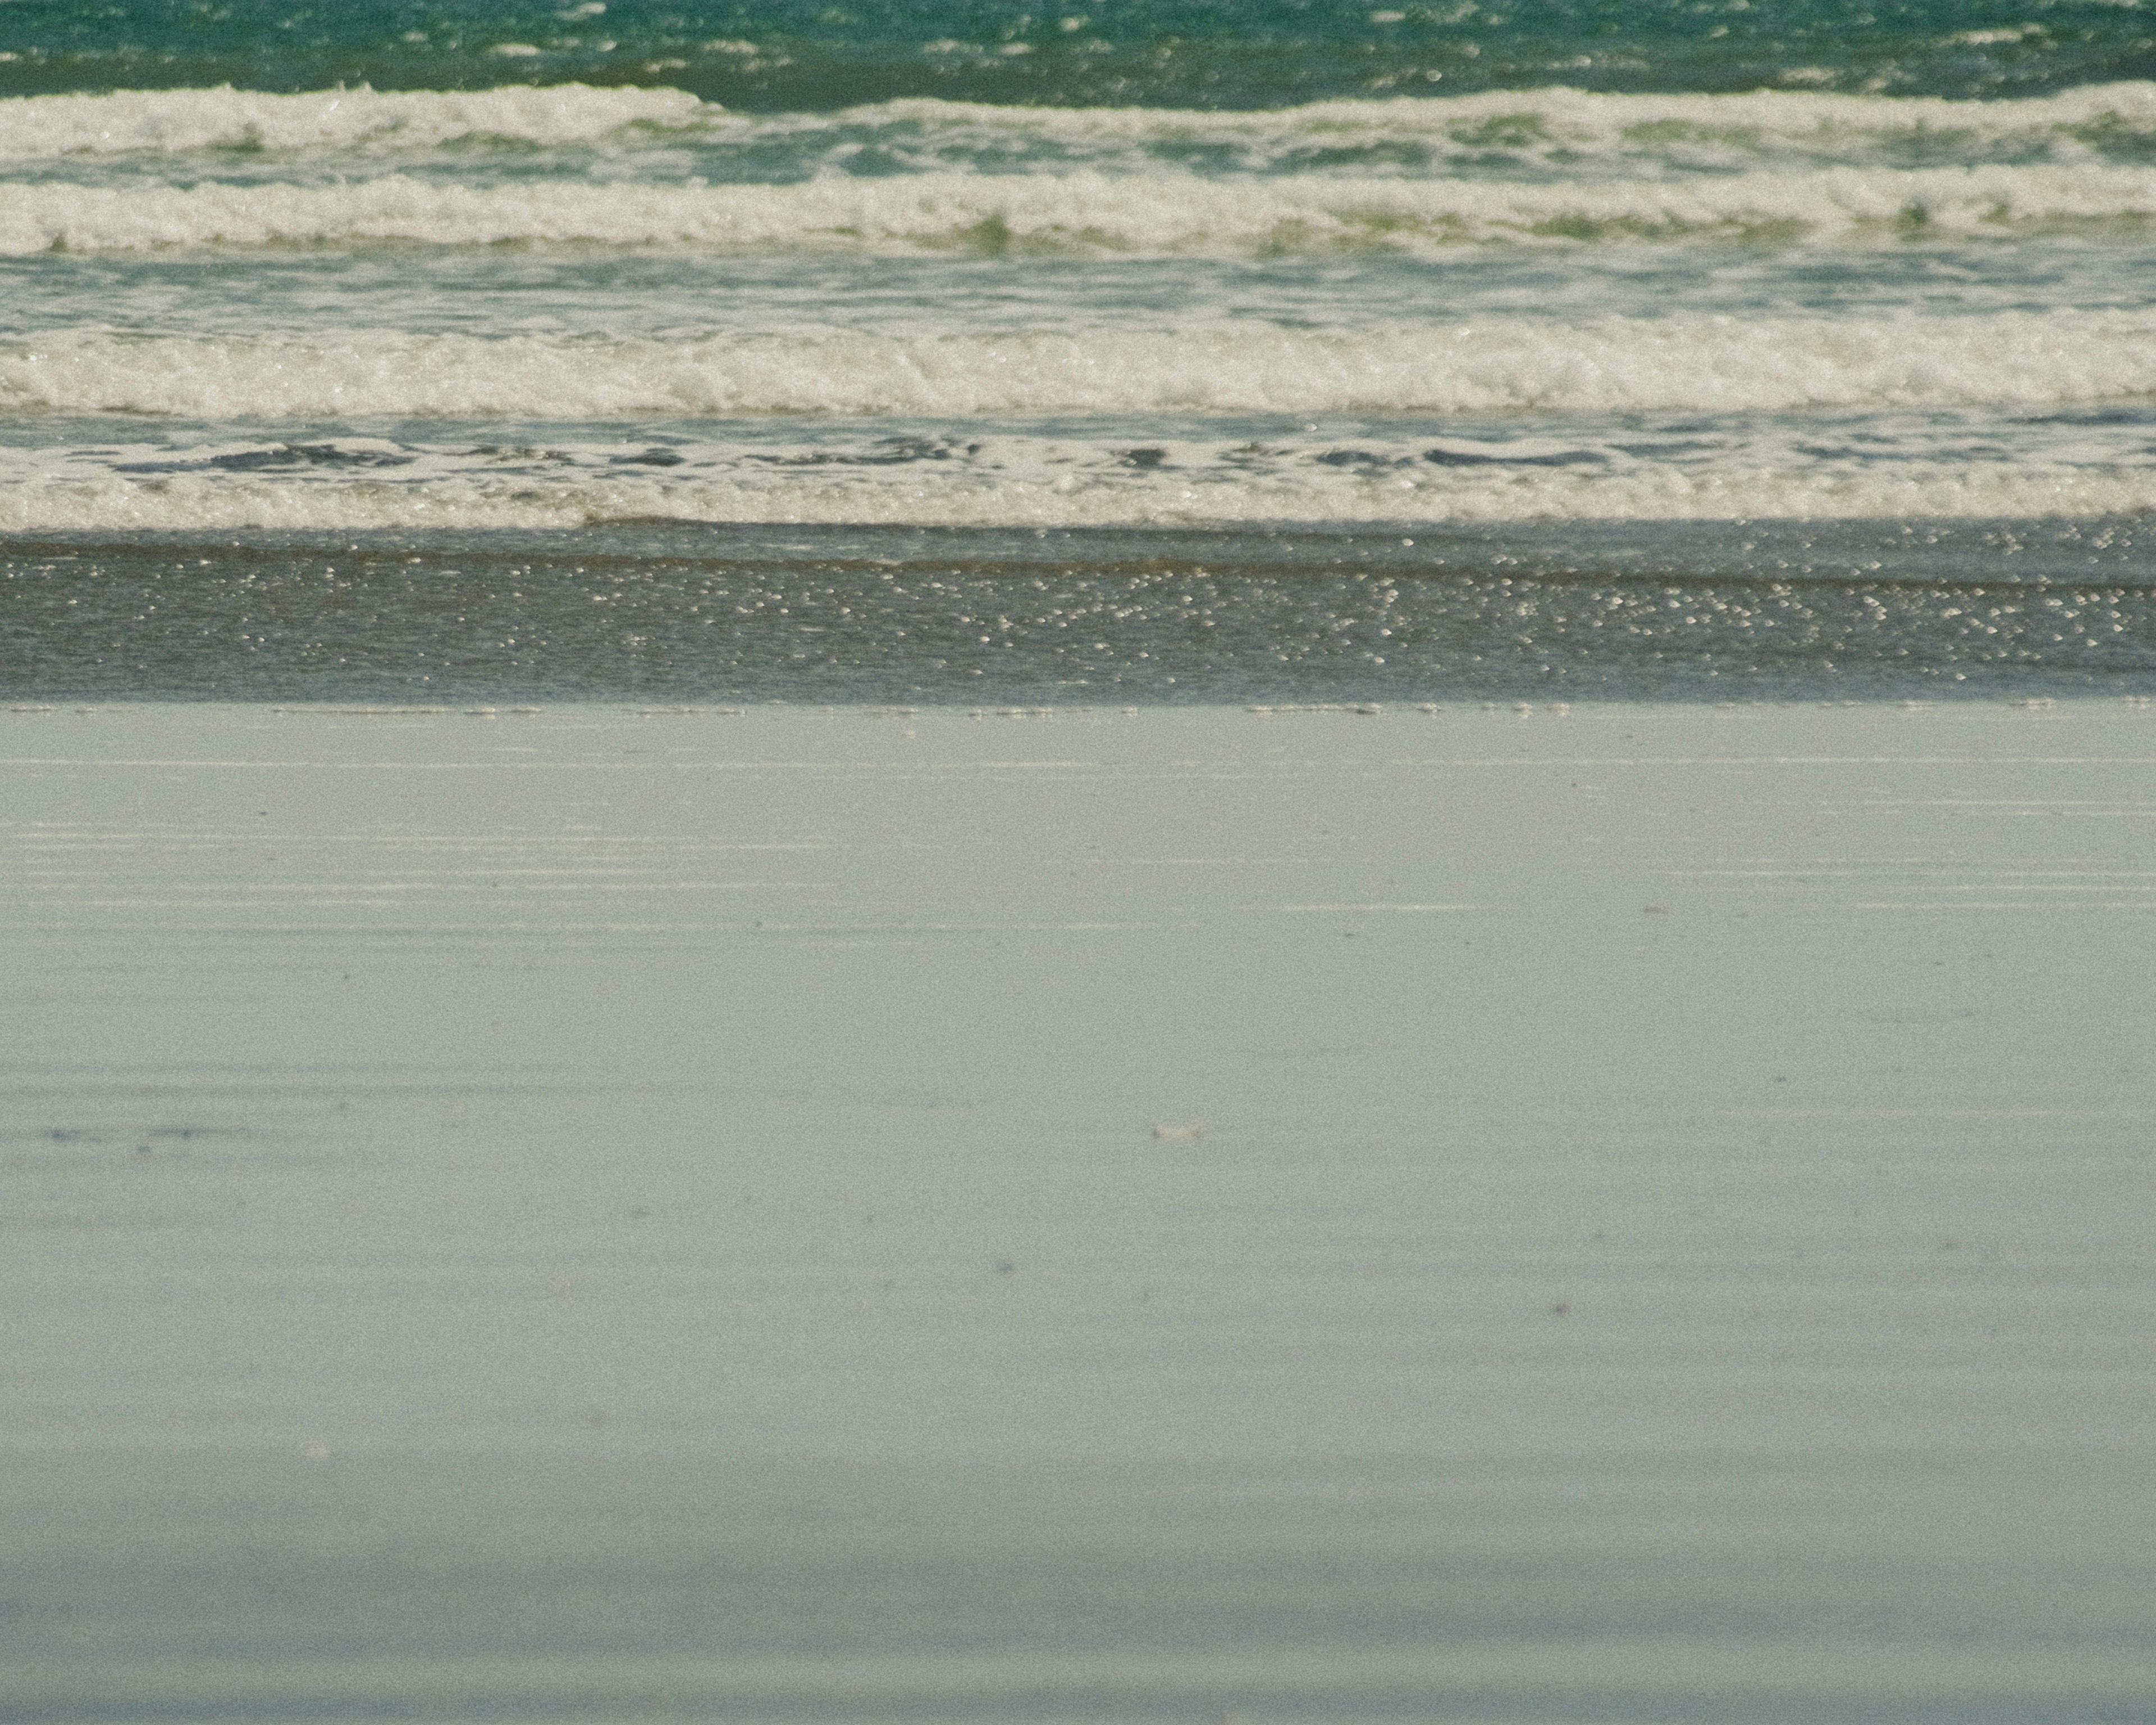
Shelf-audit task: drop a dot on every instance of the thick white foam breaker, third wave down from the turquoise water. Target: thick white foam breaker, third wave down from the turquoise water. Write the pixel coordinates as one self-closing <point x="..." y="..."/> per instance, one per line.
<point x="1497" y="365"/>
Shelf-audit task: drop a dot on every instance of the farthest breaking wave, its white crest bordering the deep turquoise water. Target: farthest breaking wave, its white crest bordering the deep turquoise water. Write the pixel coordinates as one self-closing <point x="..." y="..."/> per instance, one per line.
<point x="1562" y="130"/>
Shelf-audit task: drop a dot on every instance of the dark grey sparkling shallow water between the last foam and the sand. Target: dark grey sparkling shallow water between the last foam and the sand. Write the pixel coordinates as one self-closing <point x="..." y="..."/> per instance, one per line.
<point x="1096" y="618"/>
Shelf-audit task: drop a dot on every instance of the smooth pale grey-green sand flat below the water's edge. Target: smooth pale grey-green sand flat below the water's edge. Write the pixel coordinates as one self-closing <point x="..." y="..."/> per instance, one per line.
<point x="1625" y="1213"/>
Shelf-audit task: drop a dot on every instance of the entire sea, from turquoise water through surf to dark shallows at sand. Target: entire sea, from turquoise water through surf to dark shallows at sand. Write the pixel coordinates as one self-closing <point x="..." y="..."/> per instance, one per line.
<point x="1803" y="312"/>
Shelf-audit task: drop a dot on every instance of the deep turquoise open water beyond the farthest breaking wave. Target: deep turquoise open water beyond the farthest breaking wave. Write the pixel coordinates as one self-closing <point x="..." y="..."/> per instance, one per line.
<point x="801" y="55"/>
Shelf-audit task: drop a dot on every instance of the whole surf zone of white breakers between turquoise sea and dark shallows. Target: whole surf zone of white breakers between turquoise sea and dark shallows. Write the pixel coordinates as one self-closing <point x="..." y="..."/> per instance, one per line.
<point x="1696" y="307"/>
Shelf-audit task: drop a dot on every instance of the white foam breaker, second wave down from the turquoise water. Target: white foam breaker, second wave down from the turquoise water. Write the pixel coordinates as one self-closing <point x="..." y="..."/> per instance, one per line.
<point x="1086" y="215"/>
